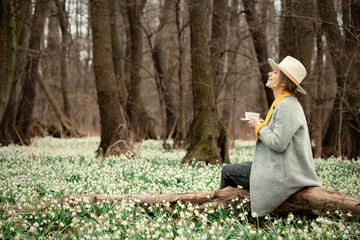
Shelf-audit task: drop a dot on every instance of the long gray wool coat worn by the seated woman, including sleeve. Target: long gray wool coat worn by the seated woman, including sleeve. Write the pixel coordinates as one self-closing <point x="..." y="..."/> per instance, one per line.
<point x="283" y="162"/>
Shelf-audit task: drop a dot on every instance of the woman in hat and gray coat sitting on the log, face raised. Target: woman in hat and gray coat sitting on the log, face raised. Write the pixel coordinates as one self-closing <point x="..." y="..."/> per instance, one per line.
<point x="283" y="162"/>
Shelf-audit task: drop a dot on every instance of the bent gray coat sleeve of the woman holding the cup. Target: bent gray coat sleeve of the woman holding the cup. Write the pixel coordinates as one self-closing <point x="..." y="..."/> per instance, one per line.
<point x="286" y="123"/>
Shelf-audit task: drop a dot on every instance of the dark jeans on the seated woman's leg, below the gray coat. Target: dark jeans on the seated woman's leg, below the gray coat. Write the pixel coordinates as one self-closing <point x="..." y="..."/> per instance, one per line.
<point x="235" y="175"/>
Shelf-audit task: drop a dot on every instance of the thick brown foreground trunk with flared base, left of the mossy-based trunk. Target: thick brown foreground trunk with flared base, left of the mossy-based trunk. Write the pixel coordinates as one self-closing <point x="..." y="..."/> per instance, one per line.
<point x="114" y="130"/>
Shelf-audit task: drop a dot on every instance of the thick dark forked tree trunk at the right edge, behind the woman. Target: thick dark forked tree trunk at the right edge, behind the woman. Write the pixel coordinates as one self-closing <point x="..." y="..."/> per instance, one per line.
<point x="343" y="136"/>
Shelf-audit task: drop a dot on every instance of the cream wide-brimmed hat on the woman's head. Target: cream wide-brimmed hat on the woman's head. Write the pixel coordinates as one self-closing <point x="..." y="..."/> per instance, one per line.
<point x="293" y="69"/>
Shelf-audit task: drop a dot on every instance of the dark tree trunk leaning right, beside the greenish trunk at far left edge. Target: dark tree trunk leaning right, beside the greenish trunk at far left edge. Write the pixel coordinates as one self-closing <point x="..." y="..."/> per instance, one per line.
<point x="24" y="115"/>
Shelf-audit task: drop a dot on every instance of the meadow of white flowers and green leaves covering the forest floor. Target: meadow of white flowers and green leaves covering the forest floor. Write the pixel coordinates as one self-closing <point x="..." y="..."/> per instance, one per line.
<point x="38" y="175"/>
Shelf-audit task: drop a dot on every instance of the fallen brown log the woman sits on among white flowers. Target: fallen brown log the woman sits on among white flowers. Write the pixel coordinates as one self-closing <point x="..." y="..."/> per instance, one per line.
<point x="315" y="200"/>
